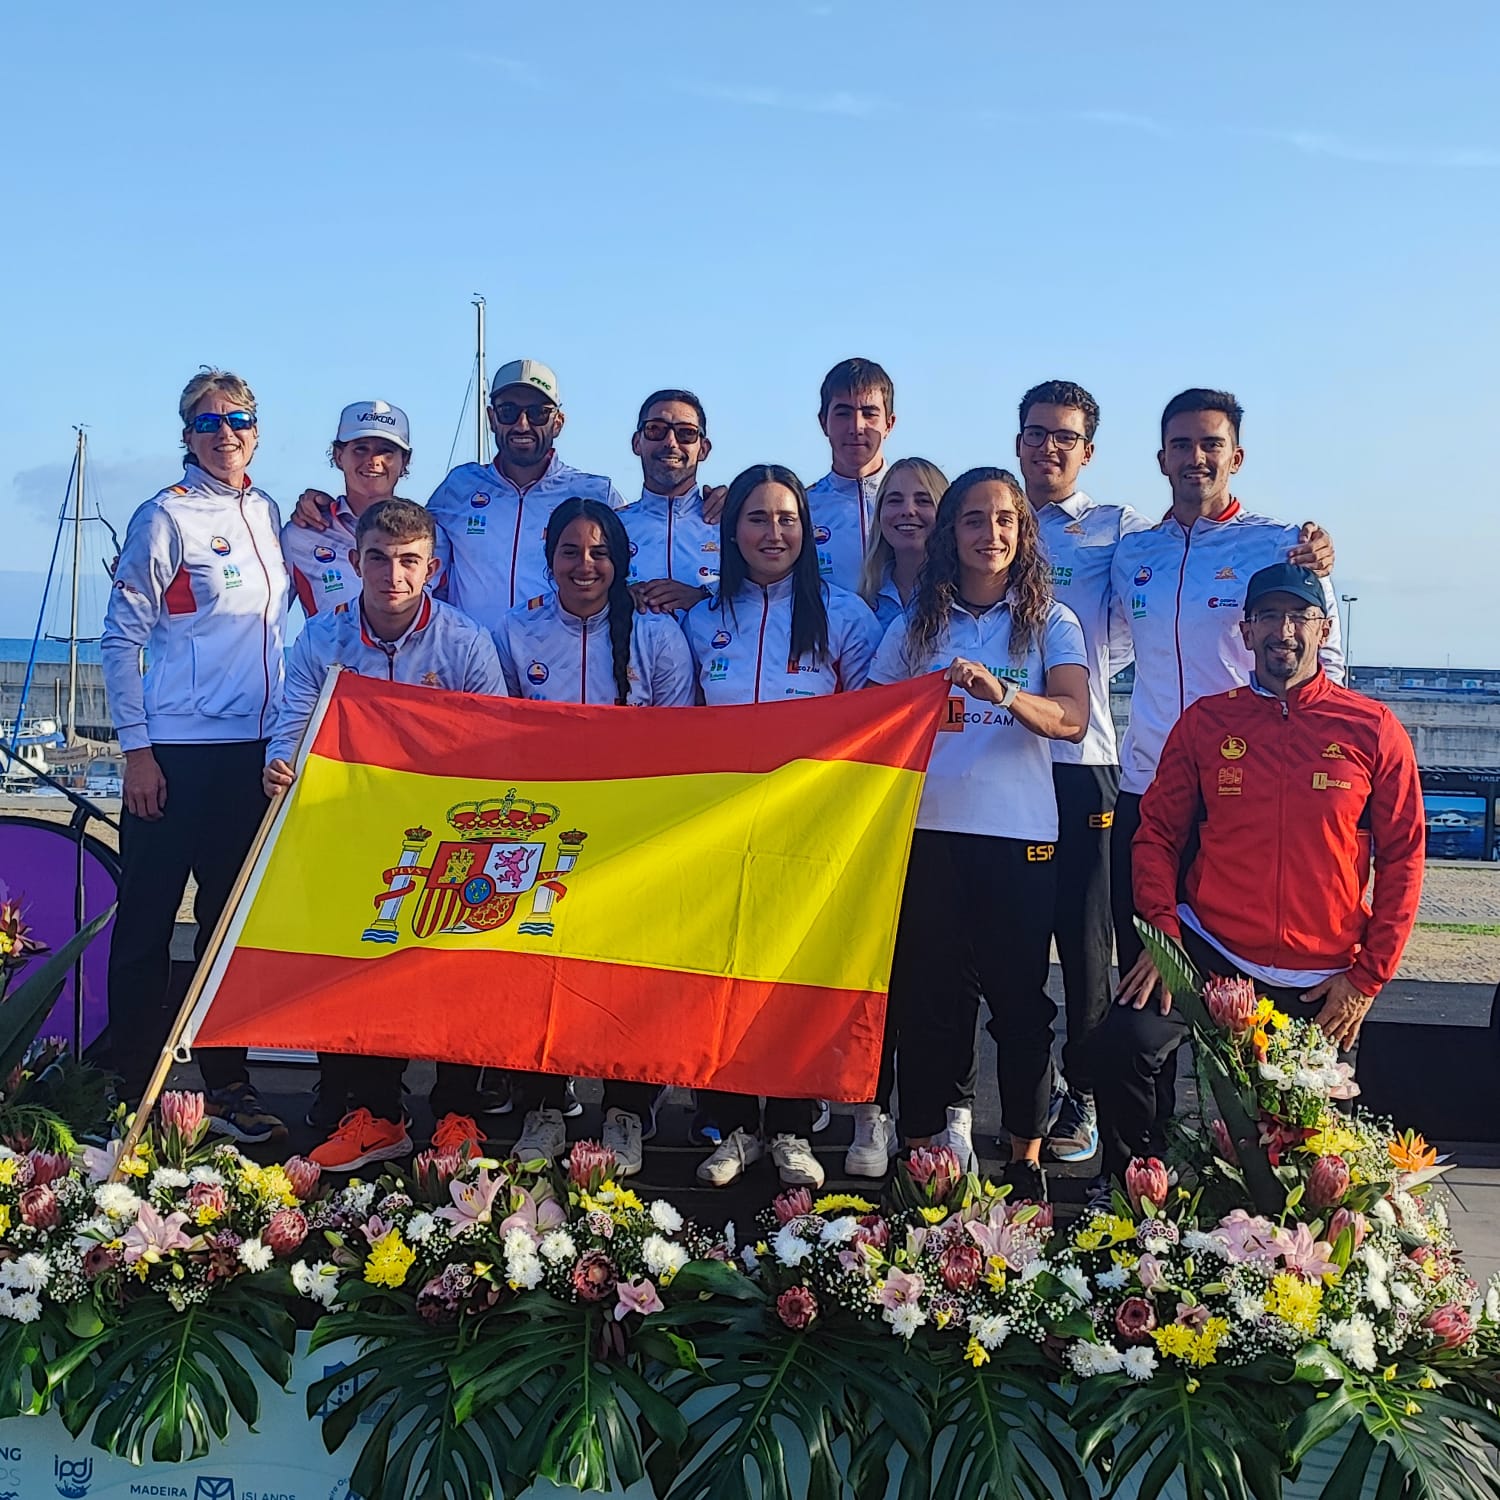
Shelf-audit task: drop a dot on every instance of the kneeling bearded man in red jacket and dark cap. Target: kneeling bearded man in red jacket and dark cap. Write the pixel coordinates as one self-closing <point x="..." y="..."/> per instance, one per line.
<point x="1291" y="784"/>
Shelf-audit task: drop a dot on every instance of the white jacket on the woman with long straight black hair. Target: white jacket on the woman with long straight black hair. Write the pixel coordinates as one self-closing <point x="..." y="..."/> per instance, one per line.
<point x="743" y="649"/>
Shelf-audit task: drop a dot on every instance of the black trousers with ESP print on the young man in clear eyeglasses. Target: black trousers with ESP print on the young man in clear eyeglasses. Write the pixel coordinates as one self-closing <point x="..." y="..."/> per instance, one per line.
<point x="1082" y="922"/>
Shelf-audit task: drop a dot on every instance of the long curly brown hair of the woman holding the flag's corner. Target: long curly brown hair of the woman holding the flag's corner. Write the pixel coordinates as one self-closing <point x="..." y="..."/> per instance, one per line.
<point x="1028" y="586"/>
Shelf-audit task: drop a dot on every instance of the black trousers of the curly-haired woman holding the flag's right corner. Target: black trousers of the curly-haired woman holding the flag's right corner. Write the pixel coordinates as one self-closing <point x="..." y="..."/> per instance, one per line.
<point x="976" y="920"/>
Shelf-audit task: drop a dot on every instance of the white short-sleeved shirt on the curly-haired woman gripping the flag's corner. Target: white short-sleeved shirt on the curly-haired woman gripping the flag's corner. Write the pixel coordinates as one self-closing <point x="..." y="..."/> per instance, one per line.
<point x="988" y="775"/>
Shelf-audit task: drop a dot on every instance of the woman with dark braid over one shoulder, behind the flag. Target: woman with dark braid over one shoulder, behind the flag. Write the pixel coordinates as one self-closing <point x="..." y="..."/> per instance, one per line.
<point x="586" y="644"/>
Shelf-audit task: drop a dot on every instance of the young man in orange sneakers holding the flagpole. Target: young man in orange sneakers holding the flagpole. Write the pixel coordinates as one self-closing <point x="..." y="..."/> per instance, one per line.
<point x="395" y="634"/>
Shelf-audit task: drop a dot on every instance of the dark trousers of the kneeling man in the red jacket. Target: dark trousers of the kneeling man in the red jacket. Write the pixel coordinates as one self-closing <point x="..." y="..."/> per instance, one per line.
<point x="1133" y="1049"/>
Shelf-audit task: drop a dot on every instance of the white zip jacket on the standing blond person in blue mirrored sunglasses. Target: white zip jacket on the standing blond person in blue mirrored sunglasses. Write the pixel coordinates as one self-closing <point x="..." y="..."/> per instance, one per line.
<point x="203" y="592"/>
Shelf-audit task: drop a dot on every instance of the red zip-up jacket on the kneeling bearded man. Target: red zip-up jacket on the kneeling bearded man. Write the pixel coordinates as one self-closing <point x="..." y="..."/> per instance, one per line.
<point x="1289" y="802"/>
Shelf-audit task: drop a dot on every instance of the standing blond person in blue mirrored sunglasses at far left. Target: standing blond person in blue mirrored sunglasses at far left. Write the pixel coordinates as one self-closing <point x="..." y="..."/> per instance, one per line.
<point x="202" y="592"/>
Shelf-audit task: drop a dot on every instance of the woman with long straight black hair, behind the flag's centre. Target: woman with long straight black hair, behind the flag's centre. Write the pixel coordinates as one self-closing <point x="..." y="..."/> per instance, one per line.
<point x="773" y="632"/>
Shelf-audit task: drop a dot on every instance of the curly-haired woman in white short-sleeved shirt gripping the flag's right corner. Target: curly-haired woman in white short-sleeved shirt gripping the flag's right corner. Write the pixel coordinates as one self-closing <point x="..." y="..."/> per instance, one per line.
<point x="980" y="886"/>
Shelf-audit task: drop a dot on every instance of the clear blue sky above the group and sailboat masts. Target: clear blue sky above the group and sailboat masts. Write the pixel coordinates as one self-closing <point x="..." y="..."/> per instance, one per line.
<point x="1295" y="202"/>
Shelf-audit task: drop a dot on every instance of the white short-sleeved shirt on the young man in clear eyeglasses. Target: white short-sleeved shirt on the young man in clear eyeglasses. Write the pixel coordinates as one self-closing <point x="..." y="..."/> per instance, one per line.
<point x="1079" y="536"/>
